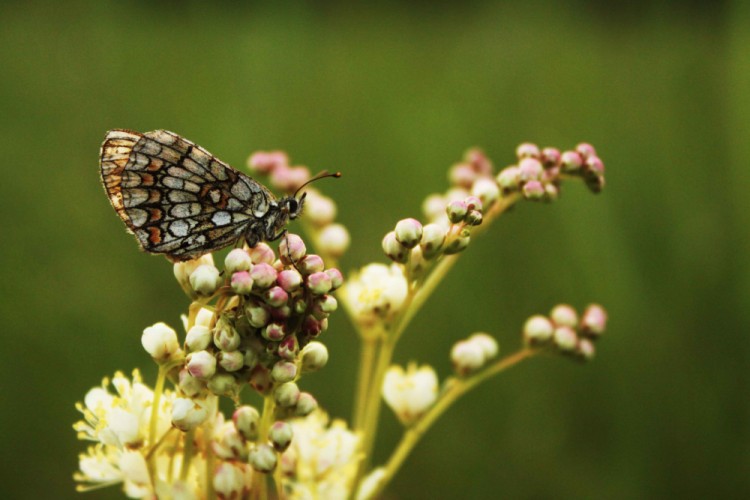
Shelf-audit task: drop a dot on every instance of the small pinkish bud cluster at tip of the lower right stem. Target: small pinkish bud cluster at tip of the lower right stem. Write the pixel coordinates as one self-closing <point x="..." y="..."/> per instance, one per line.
<point x="565" y="332"/>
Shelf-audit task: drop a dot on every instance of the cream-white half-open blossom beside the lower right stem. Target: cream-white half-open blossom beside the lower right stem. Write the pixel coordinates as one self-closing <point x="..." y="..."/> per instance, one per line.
<point x="411" y="392"/>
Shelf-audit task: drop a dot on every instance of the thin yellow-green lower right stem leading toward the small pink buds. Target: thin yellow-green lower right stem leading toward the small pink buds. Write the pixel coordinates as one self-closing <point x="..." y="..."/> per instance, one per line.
<point x="460" y="387"/>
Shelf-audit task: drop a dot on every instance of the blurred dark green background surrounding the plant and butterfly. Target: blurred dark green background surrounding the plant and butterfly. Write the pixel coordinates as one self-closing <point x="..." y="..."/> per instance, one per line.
<point x="391" y="95"/>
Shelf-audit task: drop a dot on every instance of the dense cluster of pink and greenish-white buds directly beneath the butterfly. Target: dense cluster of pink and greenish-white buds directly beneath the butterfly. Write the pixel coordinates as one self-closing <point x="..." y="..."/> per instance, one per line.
<point x="268" y="310"/>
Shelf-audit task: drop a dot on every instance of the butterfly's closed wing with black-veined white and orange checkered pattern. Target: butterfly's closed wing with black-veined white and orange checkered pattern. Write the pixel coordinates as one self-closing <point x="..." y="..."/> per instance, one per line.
<point x="176" y="197"/>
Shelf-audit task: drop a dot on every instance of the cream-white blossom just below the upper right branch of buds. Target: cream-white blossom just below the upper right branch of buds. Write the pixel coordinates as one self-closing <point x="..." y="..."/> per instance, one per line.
<point x="377" y="291"/>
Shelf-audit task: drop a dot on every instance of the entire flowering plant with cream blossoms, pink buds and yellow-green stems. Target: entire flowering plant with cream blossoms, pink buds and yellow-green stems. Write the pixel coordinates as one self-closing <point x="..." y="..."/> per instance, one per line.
<point x="257" y="323"/>
